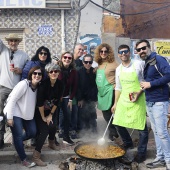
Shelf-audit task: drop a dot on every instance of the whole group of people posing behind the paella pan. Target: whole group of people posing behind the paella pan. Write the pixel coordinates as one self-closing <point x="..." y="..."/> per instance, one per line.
<point x="39" y="95"/>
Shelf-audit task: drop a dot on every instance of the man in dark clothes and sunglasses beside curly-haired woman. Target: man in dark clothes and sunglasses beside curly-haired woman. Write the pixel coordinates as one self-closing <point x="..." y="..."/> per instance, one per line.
<point x="87" y="94"/>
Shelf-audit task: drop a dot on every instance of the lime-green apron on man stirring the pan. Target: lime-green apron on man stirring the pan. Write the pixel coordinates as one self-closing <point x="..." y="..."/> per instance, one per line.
<point x="129" y="114"/>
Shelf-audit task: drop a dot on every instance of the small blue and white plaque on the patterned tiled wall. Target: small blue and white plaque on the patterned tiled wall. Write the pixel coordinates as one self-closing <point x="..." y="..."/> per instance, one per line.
<point x="46" y="30"/>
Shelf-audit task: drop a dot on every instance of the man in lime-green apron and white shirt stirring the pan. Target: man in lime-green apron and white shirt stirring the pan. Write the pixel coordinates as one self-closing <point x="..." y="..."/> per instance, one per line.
<point x="130" y="106"/>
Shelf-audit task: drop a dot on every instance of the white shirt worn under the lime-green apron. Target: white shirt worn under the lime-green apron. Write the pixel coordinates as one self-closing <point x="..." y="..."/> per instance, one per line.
<point x="138" y="65"/>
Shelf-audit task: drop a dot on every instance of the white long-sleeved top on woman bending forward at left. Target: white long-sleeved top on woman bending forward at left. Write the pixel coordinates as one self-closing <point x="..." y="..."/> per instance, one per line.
<point x="21" y="102"/>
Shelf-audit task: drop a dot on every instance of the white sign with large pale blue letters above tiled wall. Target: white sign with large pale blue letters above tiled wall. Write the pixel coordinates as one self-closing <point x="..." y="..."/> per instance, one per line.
<point x="22" y="3"/>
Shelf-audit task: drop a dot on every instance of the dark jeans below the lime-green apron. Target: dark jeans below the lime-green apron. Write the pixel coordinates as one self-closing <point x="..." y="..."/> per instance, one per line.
<point x="127" y="140"/>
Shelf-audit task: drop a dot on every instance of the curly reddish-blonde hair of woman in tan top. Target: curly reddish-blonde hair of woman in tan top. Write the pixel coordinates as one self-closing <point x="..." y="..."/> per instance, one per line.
<point x="110" y="58"/>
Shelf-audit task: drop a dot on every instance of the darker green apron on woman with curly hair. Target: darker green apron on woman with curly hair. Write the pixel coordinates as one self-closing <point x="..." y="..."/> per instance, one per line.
<point x="105" y="90"/>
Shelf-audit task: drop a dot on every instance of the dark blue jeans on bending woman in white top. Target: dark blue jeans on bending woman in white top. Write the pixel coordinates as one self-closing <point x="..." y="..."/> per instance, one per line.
<point x="20" y="135"/>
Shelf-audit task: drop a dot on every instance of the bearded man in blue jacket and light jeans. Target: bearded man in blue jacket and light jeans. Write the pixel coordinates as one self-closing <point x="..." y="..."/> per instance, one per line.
<point x="156" y="75"/>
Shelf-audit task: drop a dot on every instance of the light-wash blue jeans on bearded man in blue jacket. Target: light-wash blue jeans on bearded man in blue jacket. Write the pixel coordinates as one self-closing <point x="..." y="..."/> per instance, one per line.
<point x="157" y="112"/>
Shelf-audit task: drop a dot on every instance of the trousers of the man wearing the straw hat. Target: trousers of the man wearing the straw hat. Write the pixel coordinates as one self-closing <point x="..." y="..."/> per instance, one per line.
<point x="4" y="92"/>
